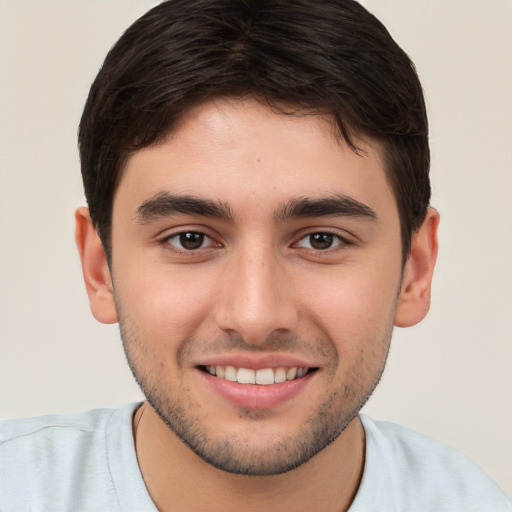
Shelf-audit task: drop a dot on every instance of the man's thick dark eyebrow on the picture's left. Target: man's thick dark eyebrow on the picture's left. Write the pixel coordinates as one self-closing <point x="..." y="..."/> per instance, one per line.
<point x="164" y="204"/>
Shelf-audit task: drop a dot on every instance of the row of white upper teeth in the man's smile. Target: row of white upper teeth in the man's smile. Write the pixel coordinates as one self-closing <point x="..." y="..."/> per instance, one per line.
<point x="264" y="376"/>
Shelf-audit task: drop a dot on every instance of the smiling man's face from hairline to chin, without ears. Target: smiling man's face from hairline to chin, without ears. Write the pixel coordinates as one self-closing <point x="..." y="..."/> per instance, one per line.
<point x="256" y="267"/>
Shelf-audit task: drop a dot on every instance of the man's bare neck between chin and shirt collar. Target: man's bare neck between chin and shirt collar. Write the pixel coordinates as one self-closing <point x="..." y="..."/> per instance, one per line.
<point x="178" y="480"/>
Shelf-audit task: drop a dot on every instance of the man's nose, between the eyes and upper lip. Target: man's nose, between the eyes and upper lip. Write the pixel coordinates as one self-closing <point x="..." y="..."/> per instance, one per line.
<point x="256" y="299"/>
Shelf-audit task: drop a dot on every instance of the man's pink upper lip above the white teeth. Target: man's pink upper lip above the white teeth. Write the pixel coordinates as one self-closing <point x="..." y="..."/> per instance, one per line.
<point x="257" y="361"/>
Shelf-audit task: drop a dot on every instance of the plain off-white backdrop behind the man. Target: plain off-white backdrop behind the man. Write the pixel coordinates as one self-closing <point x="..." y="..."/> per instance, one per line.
<point x="450" y="377"/>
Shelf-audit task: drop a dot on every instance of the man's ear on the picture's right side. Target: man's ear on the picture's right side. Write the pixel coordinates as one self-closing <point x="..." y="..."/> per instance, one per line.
<point x="414" y="299"/>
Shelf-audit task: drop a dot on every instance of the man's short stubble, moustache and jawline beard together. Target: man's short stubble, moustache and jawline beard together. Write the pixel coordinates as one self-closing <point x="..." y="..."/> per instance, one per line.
<point x="233" y="453"/>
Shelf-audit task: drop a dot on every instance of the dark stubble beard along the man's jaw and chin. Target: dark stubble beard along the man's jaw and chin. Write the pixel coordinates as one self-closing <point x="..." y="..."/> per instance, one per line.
<point x="235" y="455"/>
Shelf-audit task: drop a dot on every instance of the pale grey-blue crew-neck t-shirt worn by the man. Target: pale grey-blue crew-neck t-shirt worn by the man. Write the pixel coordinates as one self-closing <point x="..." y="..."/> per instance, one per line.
<point x="87" y="463"/>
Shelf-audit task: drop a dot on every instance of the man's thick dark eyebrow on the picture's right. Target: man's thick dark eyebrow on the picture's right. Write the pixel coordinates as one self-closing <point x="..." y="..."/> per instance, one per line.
<point x="338" y="206"/>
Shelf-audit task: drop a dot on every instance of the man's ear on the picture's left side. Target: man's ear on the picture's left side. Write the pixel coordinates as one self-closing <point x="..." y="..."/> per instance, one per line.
<point x="98" y="281"/>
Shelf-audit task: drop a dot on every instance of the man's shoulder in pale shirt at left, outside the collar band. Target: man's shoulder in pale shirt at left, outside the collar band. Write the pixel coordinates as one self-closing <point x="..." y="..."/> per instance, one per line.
<point x="49" y="462"/>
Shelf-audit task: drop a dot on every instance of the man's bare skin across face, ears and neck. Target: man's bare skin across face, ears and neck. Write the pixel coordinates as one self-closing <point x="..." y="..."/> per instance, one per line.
<point x="257" y="291"/>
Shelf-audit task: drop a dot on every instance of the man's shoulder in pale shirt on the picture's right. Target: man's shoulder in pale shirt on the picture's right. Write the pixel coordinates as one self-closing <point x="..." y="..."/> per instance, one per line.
<point x="405" y="468"/>
